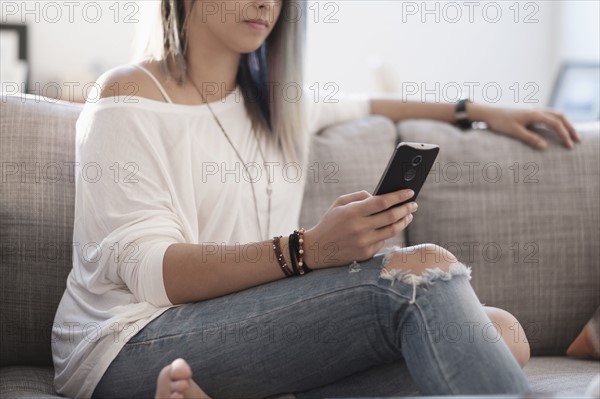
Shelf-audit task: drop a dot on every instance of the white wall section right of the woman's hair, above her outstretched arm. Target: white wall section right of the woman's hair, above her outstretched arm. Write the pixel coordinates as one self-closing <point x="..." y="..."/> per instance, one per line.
<point x="389" y="46"/>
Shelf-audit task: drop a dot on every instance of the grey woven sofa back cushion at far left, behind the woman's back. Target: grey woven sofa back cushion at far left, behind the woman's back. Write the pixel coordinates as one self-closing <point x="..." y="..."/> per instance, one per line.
<point x="36" y="222"/>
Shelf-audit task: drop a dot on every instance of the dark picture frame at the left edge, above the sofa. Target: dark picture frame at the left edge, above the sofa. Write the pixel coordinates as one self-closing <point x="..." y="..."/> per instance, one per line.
<point x="15" y="62"/>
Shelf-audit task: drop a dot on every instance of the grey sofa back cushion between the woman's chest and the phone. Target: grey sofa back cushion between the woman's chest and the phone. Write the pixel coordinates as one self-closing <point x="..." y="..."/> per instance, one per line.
<point x="346" y="158"/>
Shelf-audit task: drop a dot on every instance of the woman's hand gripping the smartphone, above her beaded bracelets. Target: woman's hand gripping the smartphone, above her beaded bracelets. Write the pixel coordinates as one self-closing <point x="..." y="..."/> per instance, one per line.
<point x="355" y="227"/>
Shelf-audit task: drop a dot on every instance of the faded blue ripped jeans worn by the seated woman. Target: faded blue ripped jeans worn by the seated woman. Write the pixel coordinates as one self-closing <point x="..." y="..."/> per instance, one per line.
<point x="357" y="330"/>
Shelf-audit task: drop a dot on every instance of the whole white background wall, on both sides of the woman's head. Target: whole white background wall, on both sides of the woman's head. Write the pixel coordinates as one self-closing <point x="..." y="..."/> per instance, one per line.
<point x="375" y="46"/>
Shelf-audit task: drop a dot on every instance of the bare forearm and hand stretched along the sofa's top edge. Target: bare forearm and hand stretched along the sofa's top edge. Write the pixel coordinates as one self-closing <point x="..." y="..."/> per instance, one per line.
<point x="510" y="122"/>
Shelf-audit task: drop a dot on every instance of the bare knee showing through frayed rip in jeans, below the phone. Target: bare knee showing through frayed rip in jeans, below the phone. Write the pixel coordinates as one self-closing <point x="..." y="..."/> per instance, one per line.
<point x="418" y="258"/>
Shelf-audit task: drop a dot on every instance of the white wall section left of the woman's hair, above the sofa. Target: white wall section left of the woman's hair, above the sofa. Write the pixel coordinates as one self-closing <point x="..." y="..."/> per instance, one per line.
<point x="73" y="43"/>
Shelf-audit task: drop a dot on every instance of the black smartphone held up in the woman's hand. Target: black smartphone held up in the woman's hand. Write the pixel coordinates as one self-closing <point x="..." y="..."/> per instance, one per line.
<point x="407" y="169"/>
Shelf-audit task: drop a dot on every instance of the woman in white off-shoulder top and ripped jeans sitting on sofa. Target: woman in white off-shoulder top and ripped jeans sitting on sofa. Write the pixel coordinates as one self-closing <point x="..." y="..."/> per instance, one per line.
<point x="181" y="254"/>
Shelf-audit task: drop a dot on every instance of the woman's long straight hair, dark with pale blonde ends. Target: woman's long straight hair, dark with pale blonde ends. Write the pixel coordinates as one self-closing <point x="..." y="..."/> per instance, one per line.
<point x="277" y="63"/>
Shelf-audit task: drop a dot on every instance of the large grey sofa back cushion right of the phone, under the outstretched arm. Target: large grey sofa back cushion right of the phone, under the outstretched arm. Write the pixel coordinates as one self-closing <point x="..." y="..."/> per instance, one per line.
<point x="527" y="221"/>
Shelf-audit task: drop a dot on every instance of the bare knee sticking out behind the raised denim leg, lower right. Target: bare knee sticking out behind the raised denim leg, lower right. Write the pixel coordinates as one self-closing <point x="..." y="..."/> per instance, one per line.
<point x="512" y="333"/>
